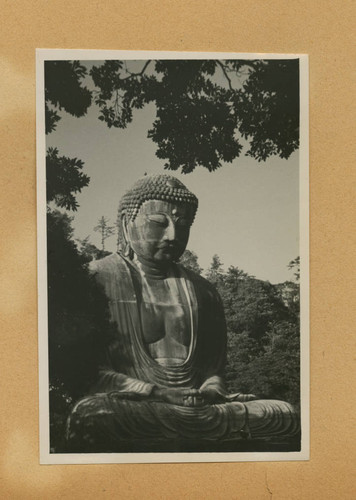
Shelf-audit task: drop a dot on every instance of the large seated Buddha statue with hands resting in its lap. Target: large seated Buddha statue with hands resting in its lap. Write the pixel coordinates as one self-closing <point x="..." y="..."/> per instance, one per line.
<point x="161" y="378"/>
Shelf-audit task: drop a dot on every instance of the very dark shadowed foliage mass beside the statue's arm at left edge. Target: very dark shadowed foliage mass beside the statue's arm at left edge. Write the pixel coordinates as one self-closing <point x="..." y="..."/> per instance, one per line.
<point x="78" y="323"/>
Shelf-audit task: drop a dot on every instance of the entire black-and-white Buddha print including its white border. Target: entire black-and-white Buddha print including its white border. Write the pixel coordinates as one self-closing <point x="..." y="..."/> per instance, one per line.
<point x="173" y="259"/>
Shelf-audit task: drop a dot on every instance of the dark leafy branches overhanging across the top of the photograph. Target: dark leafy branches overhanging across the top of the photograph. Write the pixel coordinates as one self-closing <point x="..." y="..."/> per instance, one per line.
<point x="203" y="107"/>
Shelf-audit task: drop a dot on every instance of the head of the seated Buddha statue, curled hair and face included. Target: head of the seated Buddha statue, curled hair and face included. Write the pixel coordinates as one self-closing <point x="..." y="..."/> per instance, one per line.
<point x="155" y="217"/>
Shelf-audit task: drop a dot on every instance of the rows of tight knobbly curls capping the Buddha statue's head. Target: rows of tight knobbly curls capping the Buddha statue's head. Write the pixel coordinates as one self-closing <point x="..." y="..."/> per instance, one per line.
<point x="161" y="187"/>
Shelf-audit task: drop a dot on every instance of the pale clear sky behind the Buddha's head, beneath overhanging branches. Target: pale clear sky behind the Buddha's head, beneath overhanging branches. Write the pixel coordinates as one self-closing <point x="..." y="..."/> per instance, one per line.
<point x="248" y="211"/>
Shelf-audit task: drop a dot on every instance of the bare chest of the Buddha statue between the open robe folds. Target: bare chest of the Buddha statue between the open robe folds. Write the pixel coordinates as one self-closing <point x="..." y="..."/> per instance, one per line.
<point x="166" y="318"/>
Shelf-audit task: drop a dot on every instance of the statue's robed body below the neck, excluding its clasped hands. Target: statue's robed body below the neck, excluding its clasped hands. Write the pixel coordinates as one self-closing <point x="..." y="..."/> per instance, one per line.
<point x="188" y="353"/>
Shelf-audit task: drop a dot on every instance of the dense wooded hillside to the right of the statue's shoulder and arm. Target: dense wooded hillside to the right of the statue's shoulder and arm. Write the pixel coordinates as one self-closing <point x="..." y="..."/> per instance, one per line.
<point x="263" y="333"/>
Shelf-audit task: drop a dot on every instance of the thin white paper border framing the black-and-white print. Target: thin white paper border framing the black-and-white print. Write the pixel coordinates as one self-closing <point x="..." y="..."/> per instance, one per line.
<point x="46" y="457"/>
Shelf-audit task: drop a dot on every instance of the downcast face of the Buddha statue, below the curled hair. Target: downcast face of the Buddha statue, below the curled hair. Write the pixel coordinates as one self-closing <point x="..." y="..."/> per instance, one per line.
<point x="160" y="230"/>
